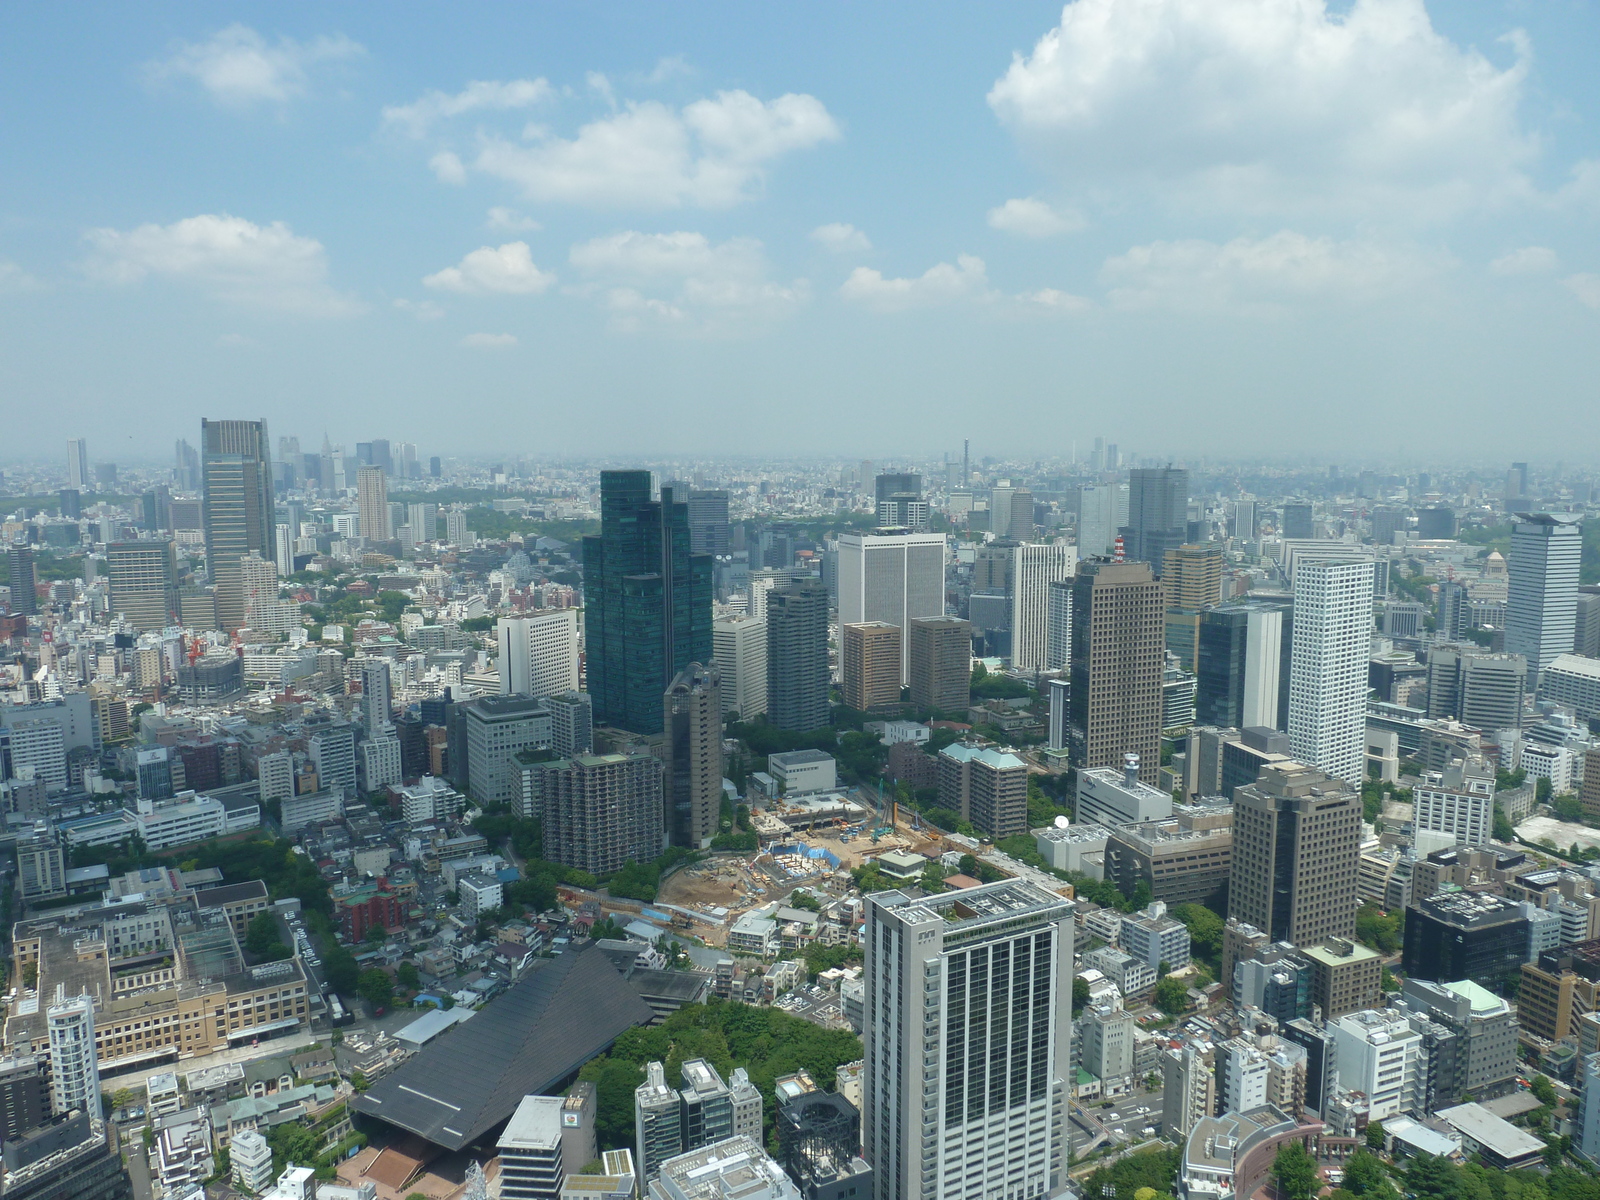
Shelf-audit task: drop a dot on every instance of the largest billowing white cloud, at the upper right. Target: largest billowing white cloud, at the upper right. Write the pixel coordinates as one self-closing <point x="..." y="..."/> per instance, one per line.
<point x="1271" y="106"/>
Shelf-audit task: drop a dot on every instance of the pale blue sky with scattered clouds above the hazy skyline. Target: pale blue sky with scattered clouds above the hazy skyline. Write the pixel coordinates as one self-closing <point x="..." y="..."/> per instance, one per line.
<point x="1223" y="228"/>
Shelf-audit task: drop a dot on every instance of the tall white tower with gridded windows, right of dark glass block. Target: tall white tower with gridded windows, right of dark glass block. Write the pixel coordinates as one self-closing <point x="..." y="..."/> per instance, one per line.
<point x="1332" y="649"/>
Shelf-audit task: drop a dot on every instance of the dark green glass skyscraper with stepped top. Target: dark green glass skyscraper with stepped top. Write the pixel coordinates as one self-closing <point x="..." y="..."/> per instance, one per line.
<point x="647" y="598"/>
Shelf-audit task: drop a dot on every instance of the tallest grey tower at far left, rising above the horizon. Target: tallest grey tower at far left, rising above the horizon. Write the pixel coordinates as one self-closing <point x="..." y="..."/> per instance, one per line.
<point x="236" y="508"/>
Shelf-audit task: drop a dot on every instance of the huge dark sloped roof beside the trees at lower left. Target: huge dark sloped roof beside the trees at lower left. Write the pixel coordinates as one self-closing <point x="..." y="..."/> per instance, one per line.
<point x="521" y="1046"/>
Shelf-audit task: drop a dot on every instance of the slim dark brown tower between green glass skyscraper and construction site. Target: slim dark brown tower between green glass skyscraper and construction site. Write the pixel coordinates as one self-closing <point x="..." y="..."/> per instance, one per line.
<point x="692" y="718"/>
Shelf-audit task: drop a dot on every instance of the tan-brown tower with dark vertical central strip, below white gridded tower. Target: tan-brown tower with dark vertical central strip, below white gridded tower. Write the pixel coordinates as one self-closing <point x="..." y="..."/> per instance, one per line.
<point x="1297" y="855"/>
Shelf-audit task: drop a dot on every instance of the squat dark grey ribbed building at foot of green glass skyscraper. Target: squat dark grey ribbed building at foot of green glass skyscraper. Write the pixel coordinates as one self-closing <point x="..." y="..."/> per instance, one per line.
<point x="598" y="812"/>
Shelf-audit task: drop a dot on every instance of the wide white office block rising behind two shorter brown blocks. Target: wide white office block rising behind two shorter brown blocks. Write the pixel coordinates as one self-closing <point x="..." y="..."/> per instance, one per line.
<point x="890" y="577"/>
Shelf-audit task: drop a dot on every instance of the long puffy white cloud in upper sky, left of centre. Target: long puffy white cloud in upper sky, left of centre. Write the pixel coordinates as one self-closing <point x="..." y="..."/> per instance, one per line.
<point x="711" y="154"/>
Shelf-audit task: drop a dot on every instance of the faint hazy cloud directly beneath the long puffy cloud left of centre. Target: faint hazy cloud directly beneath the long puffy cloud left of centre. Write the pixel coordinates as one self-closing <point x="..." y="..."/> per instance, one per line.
<point x="684" y="281"/>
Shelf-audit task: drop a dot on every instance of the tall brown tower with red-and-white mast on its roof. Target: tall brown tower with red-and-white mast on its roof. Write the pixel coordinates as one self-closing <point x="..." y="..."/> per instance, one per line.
<point x="1116" y="673"/>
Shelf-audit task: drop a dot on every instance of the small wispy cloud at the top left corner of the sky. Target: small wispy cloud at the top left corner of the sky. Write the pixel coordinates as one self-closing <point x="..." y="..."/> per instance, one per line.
<point x="241" y="68"/>
